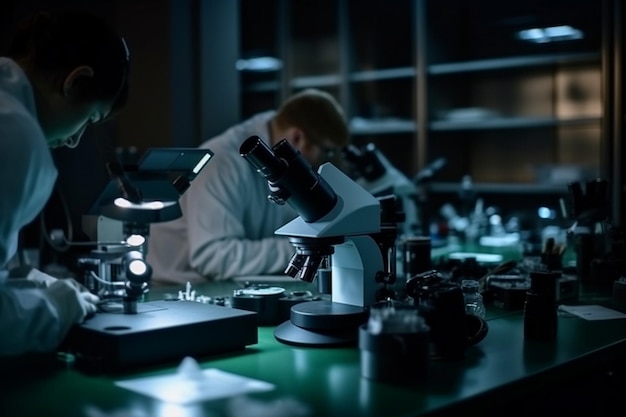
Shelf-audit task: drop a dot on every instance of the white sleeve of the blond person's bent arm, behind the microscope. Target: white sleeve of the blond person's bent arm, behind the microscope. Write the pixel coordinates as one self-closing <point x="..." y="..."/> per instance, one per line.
<point x="219" y="246"/>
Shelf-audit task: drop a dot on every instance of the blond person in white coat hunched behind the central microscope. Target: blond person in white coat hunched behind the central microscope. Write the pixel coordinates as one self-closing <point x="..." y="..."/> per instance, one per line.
<point x="228" y="223"/>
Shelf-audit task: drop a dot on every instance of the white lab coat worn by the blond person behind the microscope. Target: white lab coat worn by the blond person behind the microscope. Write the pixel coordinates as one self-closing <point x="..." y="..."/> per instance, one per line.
<point x="227" y="227"/>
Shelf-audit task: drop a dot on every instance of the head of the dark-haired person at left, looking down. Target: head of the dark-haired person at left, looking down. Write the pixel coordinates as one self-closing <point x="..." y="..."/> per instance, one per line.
<point x="78" y="66"/>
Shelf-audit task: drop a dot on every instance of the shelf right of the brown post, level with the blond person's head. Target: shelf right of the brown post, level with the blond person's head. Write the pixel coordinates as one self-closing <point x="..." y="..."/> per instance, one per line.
<point x="509" y="123"/>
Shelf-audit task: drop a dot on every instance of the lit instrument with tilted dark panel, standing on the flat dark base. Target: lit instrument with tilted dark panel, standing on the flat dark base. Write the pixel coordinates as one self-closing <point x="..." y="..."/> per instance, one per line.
<point x="119" y="220"/>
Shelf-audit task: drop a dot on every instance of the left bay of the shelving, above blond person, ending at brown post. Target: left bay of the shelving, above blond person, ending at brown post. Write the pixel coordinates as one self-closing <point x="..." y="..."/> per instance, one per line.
<point x="345" y="50"/>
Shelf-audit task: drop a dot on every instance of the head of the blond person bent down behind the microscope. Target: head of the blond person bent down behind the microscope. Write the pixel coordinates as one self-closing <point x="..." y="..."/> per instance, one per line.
<point x="314" y="123"/>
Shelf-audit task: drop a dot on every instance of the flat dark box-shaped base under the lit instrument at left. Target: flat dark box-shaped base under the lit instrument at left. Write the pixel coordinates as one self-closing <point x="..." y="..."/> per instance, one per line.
<point x="161" y="331"/>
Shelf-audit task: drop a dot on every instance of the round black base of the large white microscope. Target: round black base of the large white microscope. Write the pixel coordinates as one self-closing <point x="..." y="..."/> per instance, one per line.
<point x="322" y="323"/>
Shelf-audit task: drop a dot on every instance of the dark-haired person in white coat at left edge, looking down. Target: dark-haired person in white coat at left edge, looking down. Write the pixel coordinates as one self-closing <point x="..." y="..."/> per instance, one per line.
<point x="61" y="74"/>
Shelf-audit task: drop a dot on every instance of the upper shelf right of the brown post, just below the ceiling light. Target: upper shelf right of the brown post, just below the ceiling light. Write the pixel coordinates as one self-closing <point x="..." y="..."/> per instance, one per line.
<point x="512" y="63"/>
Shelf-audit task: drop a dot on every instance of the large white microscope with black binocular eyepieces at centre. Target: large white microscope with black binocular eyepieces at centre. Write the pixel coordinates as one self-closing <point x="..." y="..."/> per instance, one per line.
<point x="338" y="223"/>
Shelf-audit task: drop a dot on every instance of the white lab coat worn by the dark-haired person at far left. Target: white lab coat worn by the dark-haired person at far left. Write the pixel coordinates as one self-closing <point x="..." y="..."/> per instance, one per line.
<point x="29" y="322"/>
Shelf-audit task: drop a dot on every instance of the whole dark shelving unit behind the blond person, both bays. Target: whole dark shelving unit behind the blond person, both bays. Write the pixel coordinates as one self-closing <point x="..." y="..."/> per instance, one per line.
<point x="429" y="79"/>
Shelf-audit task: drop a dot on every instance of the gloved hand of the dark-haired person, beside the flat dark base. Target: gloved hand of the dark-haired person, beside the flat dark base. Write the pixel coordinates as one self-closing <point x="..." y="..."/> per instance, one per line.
<point x="73" y="302"/>
